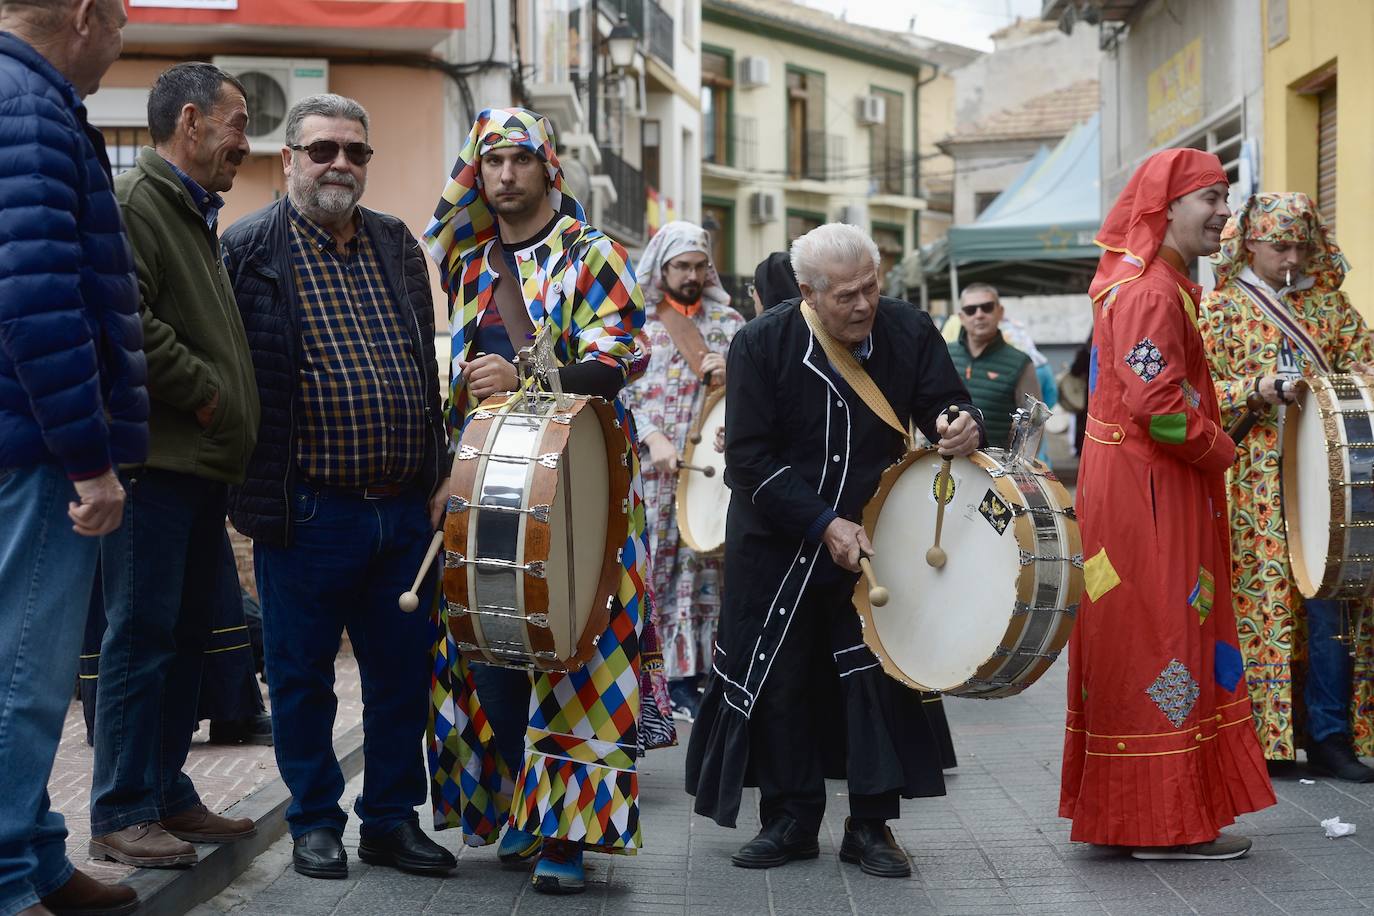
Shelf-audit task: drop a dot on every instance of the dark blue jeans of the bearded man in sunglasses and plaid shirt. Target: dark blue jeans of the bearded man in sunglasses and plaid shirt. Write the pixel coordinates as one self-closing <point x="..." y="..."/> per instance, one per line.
<point x="348" y="564"/>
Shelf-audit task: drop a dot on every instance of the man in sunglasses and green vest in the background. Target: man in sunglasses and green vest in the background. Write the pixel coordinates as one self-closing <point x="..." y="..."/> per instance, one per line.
<point x="997" y="374"/>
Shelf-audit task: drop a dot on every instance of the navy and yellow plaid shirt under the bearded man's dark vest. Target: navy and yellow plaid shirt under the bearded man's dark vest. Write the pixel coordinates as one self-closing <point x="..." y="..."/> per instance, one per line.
<point x="361" y="398"/>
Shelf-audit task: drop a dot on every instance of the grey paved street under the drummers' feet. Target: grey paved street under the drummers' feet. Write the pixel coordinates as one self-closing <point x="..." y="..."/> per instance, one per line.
<point x="993" y="845"/>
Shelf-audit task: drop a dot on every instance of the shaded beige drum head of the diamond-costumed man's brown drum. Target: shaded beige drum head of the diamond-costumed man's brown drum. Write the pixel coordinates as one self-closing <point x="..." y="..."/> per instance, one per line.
<point x="578" y="523"/>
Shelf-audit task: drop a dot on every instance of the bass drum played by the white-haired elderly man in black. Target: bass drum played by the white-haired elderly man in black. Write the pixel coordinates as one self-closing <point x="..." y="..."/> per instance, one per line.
<point x="995" y="617"/>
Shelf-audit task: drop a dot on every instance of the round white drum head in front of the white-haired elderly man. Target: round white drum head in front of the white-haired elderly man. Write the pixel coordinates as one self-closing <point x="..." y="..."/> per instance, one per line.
<point x="942" y="626"/>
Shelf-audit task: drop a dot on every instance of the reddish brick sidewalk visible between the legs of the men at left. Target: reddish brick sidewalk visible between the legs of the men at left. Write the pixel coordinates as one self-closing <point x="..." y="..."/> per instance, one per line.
<point x="223" y="774"/>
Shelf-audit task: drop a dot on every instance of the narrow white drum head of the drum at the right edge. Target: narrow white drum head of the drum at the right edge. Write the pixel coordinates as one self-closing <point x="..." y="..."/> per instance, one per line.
<point x="1307" y="496"/>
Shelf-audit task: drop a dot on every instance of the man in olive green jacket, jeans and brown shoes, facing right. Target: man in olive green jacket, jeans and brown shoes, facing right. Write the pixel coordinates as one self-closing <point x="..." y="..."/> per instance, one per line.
<point x="167" y="565"/>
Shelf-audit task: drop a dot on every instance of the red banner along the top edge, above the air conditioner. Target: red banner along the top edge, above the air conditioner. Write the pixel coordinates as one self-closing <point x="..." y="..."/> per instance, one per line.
<point x="315" y="14"/>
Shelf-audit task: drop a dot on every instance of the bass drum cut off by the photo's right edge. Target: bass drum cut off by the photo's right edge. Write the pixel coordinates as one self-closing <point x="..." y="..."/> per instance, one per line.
<point x="1328" y="477"/>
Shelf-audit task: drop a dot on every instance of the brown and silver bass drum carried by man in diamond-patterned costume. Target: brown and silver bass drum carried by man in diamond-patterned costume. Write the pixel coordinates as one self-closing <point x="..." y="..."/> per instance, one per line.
<point x="531" y="558"/>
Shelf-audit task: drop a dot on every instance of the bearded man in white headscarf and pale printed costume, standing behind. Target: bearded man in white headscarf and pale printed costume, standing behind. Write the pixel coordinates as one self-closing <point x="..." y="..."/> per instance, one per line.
<point x="689" y="328"/>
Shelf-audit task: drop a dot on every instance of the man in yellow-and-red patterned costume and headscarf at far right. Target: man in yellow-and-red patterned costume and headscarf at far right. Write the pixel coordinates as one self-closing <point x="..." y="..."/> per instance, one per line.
<point x="1277" y="315"/>
